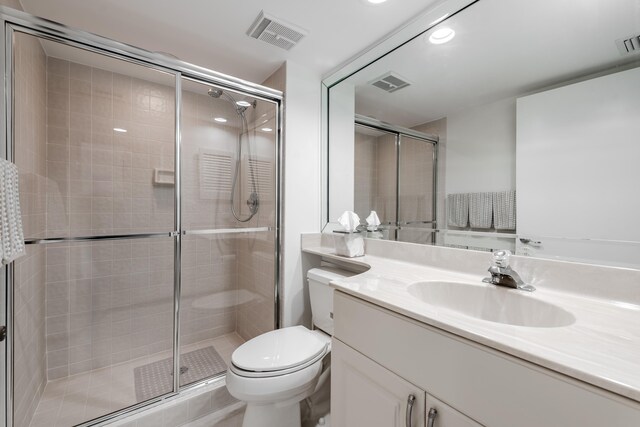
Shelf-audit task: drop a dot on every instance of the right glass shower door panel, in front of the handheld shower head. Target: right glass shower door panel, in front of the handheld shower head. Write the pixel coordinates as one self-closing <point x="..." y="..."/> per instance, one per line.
<point x="228" y="213"/>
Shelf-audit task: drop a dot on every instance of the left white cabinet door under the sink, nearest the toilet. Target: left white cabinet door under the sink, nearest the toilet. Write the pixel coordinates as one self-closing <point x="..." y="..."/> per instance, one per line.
<point x="364" y="393"/>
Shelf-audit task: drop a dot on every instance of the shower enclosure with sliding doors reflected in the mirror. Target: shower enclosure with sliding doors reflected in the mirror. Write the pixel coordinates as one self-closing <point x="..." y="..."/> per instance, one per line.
<point x="395" y="175"/>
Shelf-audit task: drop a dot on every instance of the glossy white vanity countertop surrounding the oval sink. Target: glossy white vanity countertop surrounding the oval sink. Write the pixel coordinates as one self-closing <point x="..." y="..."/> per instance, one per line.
<point x="602" y="346"/>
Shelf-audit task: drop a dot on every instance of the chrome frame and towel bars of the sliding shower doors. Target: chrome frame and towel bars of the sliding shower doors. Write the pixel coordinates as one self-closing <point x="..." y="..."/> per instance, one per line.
<point x="17" y="21"/>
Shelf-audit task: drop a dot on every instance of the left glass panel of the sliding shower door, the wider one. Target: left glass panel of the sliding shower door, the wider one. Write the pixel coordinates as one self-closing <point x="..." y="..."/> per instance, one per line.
<point x="93" y="298"/>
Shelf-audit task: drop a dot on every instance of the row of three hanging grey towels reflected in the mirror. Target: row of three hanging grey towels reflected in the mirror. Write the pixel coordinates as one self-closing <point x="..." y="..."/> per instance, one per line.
<point x="483" y="210"/>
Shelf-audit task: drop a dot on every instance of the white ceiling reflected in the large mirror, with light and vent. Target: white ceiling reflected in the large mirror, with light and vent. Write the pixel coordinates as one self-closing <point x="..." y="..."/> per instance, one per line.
<point x="502" y="48"/>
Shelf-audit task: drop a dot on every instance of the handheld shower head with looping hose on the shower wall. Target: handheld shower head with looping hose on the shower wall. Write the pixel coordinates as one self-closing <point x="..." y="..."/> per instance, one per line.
<point x="253" y="201"/>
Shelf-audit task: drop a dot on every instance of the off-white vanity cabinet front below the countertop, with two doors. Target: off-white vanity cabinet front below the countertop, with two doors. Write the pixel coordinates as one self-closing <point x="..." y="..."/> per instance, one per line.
<point x="380" y="357"/>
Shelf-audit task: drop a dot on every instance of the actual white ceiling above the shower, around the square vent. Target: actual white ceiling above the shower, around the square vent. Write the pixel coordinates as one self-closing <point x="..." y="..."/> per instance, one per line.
<point x="212" y="33"/>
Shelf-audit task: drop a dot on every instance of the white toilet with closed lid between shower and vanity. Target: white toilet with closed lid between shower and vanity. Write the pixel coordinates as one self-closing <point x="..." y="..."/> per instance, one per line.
<point x="273" y="372"/>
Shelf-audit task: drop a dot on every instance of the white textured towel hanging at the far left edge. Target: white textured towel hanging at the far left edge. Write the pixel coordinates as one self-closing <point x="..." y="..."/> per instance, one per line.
<point x="11" y="234"/>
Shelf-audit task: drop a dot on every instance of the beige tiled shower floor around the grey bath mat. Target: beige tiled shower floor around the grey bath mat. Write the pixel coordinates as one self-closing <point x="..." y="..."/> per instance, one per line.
<point x="79" y="398"/>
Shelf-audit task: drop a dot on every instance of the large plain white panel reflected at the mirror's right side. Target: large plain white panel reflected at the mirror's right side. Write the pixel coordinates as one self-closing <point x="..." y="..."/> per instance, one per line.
<point x="578" y="172"/>
